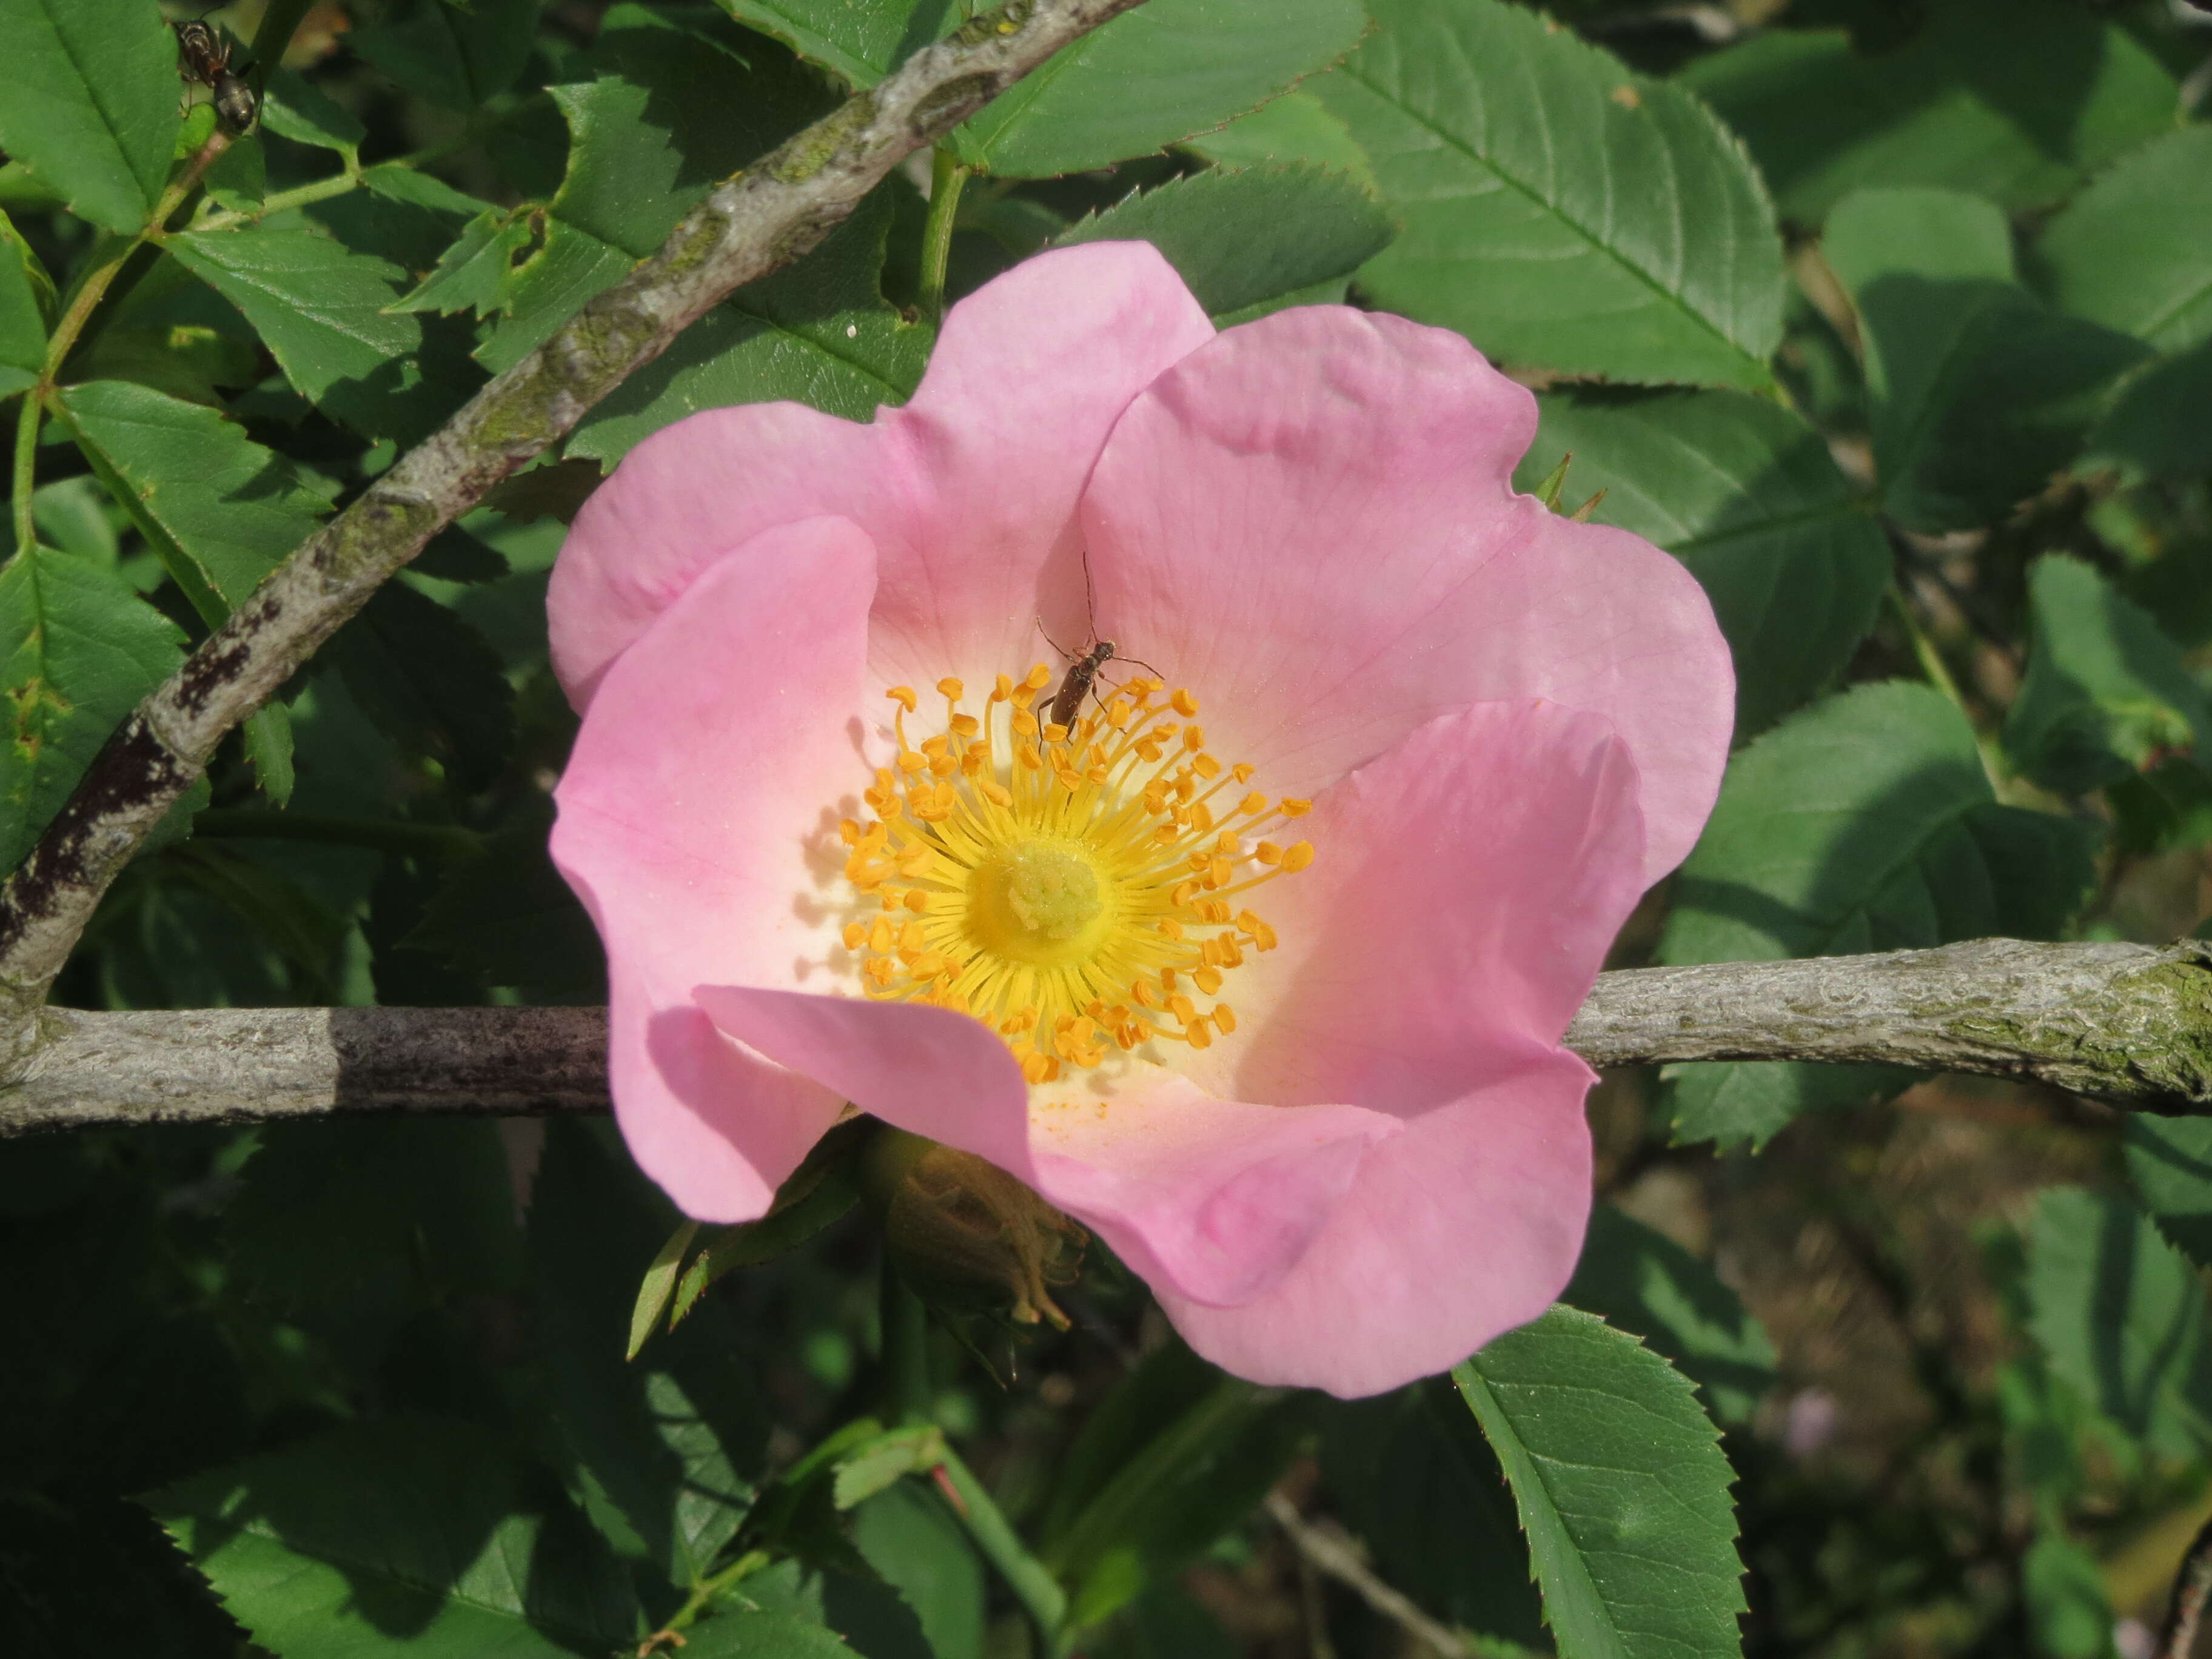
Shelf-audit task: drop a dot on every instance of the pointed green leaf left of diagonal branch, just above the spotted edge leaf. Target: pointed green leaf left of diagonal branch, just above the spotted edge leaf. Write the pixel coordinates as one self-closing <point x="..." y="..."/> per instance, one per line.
<point x="218" y="508"/>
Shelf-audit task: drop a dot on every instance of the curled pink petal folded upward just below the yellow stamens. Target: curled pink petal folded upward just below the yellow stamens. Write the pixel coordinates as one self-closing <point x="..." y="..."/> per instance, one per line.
<point x="1204" y="1198"/>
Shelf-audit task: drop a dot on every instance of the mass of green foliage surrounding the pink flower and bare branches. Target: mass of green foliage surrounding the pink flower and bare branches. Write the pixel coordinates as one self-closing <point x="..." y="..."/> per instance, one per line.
<point x="1890" y="317"/>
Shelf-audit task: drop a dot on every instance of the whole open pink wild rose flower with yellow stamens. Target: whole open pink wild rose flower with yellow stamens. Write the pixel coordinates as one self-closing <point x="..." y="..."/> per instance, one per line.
<point x="1262" y="968"/>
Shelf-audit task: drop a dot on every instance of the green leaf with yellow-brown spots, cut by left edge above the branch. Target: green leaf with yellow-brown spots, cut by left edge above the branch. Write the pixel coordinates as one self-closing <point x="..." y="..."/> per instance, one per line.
<point x="83" y="649"/>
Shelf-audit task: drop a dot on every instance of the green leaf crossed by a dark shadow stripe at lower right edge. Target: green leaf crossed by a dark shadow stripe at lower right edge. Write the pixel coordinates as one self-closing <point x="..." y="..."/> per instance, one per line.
<point x="2120" y="1315"/>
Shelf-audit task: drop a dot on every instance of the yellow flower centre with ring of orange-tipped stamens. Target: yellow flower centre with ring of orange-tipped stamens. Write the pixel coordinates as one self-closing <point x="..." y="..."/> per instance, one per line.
<point x="1070" y="886"/>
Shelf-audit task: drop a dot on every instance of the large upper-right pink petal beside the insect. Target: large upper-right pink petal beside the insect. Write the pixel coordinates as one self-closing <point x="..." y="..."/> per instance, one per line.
<point x="1313" y="525"/>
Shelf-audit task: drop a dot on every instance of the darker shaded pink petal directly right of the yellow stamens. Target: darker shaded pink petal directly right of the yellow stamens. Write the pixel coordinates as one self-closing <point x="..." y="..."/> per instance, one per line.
<point x="1461" y="906"/>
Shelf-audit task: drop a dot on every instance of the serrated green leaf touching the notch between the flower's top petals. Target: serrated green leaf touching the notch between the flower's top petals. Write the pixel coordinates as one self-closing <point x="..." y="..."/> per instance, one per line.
<point x="1246" y="242"/>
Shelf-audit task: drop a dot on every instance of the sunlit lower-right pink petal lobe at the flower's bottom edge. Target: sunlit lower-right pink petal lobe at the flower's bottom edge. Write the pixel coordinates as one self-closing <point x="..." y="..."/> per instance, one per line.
<point x="1457" y="1231"/>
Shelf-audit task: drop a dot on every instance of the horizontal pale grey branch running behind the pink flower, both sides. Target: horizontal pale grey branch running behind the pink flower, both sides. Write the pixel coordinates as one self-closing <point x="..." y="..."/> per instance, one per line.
<point x="2122" y="1023"/>
